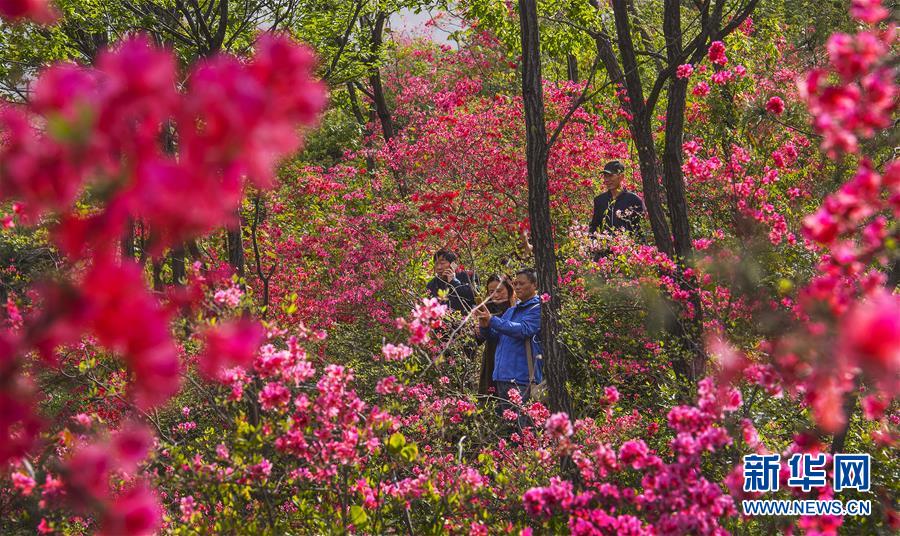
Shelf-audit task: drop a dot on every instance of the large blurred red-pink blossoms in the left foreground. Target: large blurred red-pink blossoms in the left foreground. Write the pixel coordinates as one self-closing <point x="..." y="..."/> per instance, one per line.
<point x="96" y="129"/>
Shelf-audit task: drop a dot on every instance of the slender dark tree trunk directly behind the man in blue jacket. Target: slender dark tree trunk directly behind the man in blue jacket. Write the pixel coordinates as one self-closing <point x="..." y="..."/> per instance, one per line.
<point x="539" y="206"/>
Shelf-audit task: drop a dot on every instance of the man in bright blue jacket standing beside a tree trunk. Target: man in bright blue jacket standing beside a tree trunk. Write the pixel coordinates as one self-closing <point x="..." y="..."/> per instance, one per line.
<point x="519" y="325"/>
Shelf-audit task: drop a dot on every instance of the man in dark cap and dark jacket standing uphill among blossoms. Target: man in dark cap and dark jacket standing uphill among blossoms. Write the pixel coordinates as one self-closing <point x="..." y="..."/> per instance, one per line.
<point x="616" y="209"/>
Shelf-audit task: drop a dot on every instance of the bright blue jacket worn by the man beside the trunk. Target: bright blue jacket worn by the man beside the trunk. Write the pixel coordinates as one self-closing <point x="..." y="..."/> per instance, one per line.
<point x="518" y="325"/>
